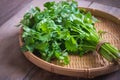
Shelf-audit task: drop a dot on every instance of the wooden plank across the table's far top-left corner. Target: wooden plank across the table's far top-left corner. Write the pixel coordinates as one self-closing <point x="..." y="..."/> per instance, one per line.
<point x="9" y="7"/>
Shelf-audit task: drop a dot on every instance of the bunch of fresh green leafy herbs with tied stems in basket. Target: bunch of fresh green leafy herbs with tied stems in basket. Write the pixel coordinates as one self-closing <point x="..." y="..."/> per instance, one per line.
<point x="62" y="29"/>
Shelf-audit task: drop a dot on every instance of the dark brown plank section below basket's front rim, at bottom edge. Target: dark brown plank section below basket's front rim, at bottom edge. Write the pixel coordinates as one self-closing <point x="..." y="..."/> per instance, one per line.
<point x="38" y="73"/>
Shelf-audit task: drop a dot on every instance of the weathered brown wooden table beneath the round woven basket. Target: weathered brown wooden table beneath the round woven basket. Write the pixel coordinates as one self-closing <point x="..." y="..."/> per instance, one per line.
<point x="13" y="64"/>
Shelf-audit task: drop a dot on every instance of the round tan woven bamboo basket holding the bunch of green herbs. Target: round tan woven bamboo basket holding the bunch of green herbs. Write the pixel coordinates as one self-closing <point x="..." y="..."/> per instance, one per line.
<point x="92" y="64"/>
